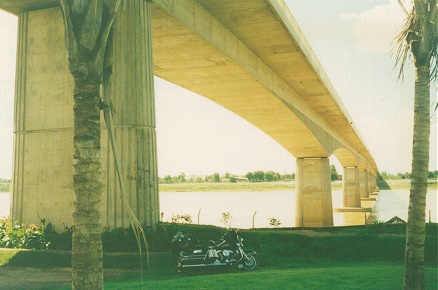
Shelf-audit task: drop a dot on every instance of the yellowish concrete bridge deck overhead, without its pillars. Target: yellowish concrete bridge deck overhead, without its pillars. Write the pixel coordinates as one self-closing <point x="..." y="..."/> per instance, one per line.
<point x="264" y="70"/>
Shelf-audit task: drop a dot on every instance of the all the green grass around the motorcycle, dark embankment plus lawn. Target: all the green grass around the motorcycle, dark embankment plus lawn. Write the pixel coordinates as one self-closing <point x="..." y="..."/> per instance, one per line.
<point x="368" y="257"/>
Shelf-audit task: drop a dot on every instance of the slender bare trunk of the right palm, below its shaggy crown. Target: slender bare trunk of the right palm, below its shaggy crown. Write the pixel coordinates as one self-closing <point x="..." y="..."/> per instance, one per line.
<point x="415" y="234"/>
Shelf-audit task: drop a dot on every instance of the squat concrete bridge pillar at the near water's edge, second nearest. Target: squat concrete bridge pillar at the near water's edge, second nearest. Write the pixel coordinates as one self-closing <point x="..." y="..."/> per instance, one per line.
<point x="313" y="193"/>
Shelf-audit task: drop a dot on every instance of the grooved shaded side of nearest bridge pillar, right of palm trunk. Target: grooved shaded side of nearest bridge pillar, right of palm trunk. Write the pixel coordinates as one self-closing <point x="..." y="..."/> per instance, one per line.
<point x="131" y="90"/>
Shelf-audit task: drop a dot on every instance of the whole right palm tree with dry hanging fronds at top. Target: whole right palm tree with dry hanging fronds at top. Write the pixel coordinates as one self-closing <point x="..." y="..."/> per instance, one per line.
<point x="419" y="37"/>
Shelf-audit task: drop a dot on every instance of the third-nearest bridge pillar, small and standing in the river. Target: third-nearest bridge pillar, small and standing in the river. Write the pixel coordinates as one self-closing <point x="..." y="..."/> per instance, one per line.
<point x="350" y="187"/>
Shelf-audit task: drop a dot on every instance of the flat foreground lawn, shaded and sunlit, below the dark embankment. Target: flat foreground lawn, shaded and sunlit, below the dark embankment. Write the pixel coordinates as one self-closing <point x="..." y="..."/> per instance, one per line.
<point x="292" y="273"/>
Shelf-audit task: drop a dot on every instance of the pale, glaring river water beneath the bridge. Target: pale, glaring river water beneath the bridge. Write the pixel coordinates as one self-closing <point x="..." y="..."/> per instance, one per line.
<point x="248" y="208"/>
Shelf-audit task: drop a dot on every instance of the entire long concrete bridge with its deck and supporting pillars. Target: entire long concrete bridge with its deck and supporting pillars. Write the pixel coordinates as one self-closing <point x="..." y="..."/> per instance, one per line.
<point x="248" y="56"/>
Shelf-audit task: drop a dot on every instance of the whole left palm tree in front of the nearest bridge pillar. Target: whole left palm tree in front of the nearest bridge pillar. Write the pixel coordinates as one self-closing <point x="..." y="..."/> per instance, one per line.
<point x="87" y="26"/>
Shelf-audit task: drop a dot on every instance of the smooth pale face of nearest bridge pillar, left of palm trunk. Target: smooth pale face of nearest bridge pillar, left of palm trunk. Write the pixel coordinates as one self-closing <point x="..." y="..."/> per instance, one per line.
<point x="43" y="122"/>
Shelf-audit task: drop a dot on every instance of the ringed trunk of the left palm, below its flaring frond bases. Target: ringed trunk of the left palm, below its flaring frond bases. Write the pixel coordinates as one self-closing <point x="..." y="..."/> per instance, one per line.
<point x="87" y="265"/>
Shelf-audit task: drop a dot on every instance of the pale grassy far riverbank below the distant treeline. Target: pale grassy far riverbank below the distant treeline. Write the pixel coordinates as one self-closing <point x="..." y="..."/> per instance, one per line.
<point x="281" y="185"/>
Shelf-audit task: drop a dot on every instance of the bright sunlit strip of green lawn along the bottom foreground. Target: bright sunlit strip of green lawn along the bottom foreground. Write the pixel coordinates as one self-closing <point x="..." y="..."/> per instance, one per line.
<point x="334" y="276"/>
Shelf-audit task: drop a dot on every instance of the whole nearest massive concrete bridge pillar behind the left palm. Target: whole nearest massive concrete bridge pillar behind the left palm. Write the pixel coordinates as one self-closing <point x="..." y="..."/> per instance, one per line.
<point x="43" y="130"/>
